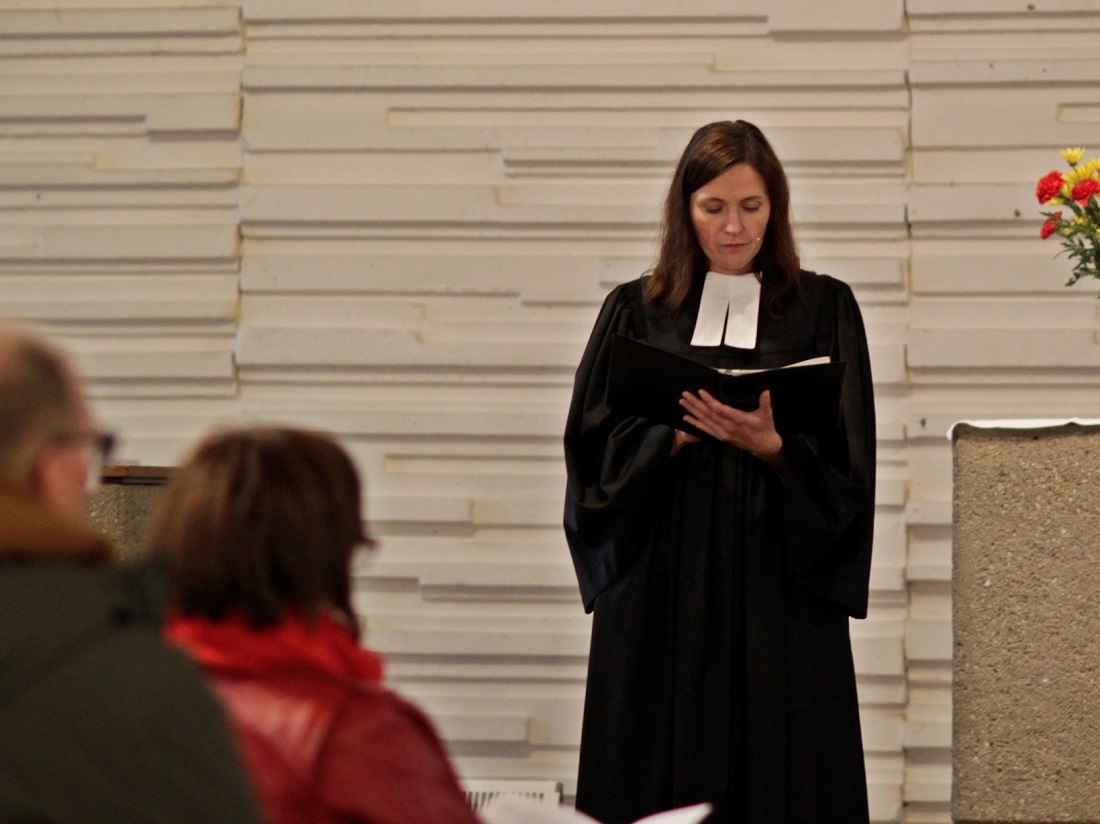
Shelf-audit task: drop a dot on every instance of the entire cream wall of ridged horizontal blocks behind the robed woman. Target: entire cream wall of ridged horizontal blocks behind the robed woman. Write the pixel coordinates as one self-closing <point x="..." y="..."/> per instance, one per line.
<point x="397" y="222"/>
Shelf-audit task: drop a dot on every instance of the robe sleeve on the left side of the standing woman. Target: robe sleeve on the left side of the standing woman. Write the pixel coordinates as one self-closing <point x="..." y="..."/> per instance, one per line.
<point x="614" y="464"/>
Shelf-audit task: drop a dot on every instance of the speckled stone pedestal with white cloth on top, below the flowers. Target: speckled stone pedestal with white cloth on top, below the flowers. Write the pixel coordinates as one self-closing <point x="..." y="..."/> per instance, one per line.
<point x="1027" y="623"/>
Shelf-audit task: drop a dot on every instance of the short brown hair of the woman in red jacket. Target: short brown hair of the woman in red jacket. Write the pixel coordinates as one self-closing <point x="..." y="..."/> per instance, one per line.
<point x="261" y="520"/>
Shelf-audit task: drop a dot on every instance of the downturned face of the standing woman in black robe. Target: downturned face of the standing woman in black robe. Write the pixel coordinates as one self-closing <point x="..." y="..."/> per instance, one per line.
<point x="731" y="216"/>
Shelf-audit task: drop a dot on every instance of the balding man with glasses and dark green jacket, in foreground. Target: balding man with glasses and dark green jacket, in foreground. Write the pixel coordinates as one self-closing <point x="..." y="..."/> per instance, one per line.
<point x="100" y="720"/>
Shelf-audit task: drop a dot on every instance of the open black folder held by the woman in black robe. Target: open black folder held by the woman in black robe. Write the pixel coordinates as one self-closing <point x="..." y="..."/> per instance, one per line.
<point x="648" y="381"/>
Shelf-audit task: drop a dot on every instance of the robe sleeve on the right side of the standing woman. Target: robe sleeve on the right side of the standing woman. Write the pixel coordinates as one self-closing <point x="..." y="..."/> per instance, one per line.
<point x="829" y="481"/>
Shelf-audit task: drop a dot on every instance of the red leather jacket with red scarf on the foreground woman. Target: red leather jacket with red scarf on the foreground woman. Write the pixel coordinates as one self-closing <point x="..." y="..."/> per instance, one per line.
<point x="324" y="740"/>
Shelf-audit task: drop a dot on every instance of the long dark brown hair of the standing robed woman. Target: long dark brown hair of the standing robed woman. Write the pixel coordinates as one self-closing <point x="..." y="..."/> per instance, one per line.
<point x="681" y="262"/>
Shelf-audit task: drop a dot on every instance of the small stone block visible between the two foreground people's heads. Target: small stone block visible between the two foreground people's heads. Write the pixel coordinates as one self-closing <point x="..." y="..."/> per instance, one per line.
<point x="124" y="504"/>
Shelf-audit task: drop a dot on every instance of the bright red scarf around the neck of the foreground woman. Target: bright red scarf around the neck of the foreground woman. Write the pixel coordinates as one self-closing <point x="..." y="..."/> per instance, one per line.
<point x="232" y="646"/>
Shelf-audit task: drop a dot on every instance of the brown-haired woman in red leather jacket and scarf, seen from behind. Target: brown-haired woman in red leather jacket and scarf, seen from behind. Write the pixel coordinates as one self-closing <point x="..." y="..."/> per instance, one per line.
<point x="259" y="529"/>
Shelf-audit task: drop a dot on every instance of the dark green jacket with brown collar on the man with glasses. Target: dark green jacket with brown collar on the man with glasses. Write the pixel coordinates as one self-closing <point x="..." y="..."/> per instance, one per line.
<point x="101" y="721"/>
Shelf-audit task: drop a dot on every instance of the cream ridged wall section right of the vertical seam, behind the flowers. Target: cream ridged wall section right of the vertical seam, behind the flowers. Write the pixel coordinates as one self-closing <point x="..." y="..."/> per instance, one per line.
<point x="998" y="89"/>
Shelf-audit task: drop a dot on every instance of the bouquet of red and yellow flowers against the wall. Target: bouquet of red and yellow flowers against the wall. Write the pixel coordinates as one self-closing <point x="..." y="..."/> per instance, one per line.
<point x="1077" y="191"/>
